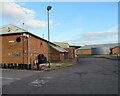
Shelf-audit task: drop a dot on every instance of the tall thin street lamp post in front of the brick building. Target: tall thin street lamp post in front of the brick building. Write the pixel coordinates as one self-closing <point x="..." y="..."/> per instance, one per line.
<point x="48" y="8"/>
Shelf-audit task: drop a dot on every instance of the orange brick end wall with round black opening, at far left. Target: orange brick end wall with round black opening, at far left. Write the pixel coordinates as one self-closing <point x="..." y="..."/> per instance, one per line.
<point x="9" y="49"/>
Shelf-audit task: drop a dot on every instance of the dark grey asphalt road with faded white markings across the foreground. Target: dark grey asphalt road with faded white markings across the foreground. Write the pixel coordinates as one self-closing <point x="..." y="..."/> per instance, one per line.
<point x="88" y="76"/>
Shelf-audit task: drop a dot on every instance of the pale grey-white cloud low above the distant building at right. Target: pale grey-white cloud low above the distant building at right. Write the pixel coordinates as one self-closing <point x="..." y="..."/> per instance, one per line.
<point x="86" y="38"/>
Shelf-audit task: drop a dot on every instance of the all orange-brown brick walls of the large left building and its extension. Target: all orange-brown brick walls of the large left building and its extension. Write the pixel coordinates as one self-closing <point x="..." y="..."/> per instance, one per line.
<point x="37" y="46"/>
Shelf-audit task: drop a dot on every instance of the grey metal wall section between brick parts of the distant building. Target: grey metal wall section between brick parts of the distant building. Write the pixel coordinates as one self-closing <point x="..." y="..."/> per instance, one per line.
<point x="100" y="50"/>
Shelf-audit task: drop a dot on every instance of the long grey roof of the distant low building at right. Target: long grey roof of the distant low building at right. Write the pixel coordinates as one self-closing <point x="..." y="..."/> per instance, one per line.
<point x="99" y="45"/>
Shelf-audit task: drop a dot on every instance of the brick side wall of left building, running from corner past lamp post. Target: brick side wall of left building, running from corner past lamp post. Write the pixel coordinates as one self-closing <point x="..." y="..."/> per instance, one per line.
<point x="38" y="46"/>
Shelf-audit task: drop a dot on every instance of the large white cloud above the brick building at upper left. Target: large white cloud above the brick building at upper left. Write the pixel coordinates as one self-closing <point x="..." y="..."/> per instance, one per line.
<point x="14" y="13"/>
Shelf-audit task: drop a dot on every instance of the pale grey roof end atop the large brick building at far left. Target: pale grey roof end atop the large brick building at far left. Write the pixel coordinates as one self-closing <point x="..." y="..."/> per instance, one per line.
<point x="9" y="29"/>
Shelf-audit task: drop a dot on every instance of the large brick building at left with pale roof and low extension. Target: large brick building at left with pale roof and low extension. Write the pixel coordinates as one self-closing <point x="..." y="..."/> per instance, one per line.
<point x="22" y="47"/>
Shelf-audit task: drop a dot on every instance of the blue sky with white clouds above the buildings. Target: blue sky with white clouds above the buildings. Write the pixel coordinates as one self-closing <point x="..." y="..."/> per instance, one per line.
<point x="78" y="23"/>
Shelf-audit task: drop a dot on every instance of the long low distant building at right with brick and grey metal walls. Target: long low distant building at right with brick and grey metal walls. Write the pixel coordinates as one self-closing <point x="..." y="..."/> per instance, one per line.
<point x="99" y="49"/>
